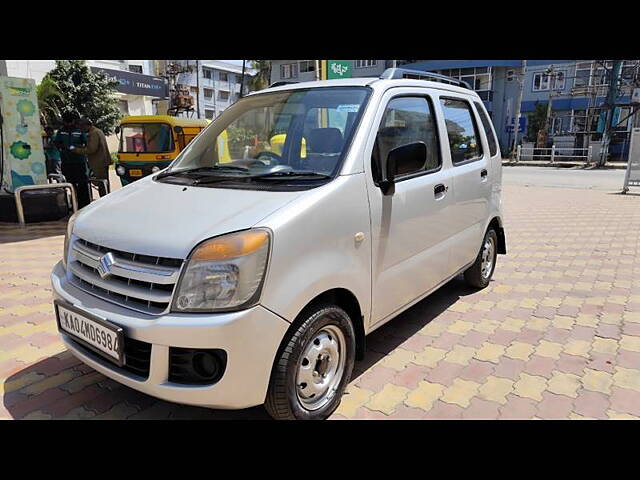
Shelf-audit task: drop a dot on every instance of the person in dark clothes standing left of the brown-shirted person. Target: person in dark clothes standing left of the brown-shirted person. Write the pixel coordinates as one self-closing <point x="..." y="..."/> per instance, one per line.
<point x="74" y="165"/>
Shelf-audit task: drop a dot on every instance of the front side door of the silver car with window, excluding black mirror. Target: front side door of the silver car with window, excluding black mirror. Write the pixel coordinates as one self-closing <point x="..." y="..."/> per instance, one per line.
<point x="410" y="228"/>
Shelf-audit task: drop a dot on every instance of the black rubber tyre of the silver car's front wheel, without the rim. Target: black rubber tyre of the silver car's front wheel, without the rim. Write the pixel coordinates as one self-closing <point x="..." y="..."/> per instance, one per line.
<point x="282" y="401"/>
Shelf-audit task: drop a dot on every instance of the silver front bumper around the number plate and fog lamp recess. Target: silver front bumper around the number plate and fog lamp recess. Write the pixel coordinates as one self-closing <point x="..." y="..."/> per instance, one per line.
<point x="250" y="337"/>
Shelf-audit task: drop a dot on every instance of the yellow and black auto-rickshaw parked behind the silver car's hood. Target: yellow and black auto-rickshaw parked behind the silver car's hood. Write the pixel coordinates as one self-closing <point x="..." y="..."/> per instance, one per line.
<point x="149" y="143"/>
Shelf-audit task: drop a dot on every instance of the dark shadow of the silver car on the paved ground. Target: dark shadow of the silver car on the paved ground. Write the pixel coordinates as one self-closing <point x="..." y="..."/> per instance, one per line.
<point x="107" y="399"/>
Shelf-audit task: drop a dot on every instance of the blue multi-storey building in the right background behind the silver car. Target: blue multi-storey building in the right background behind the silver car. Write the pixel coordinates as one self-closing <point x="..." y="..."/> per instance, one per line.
<point x="577" y="89"/>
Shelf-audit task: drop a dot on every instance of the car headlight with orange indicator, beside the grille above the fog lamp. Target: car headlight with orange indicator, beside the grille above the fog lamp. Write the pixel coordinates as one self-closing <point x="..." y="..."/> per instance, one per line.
<point x="224" y="273"/>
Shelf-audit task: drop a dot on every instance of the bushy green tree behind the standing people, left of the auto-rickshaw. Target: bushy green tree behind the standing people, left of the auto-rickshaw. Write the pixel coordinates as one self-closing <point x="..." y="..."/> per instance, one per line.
<point x="86" y="93"/>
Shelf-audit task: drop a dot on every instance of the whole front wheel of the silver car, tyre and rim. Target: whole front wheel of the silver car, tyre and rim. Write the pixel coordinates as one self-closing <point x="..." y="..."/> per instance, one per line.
<point x="313" y="366"/>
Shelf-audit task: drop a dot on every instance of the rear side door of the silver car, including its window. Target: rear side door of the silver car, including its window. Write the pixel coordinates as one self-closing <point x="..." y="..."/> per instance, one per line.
<point x="470" y="175"/>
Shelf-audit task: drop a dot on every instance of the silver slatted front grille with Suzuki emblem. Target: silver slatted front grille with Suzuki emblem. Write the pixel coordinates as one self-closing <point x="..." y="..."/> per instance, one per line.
<point x="140" y="282"/>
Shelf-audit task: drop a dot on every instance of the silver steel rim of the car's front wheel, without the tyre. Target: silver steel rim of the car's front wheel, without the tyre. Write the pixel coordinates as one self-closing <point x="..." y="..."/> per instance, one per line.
<point x="321" y="368"/>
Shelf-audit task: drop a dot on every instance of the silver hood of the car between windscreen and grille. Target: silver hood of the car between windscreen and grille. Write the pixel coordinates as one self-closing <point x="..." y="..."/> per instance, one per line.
<point x="167" y="220"/>
